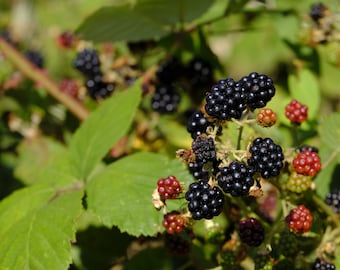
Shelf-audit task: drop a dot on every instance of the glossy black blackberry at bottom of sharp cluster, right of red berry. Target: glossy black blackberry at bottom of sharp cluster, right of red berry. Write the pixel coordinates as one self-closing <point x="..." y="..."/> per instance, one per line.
<point x="204" y="201"/>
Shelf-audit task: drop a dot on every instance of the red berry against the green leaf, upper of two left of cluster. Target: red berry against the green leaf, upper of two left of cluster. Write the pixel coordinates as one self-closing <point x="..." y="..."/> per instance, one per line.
<point x="169" y="187"/>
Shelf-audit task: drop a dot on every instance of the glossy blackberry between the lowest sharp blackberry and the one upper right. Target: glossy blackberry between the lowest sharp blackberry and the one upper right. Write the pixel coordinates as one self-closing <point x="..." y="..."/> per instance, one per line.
<point x="236" y="179"/>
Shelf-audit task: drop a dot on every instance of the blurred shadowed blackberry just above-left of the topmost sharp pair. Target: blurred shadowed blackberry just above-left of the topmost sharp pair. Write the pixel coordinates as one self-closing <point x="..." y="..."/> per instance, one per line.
<point x="199" y="72"/>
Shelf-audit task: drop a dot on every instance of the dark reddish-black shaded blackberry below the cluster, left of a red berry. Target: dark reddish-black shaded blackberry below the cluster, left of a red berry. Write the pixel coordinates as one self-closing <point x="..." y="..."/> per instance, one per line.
<point x="251" y="232"/>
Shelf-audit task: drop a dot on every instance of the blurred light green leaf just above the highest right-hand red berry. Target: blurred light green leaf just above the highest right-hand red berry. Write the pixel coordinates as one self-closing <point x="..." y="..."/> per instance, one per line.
<point x="304" y="88"/>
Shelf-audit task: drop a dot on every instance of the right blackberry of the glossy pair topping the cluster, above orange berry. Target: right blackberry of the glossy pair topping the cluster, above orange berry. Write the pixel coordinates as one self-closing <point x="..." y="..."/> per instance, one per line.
<point x="259" y="88"/>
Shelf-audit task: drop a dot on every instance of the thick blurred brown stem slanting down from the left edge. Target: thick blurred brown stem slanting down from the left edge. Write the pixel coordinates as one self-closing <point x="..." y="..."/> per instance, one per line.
<point x="36" y="75"/>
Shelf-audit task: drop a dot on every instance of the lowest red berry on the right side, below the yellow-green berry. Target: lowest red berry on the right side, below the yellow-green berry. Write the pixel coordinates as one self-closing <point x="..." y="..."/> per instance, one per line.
<point x="299" y="219"/>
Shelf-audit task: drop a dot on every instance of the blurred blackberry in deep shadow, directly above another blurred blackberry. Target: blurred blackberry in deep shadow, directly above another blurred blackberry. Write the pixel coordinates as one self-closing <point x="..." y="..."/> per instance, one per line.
<point x="169" y="71"/>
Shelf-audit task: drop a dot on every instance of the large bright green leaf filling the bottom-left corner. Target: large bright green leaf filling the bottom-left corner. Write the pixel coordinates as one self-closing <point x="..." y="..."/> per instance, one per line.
<point x="38" y="229"/>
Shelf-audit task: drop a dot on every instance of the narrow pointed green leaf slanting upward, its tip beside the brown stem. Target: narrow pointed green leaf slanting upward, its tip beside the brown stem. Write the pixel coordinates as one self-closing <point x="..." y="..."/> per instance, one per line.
<point x="103" y="128"/>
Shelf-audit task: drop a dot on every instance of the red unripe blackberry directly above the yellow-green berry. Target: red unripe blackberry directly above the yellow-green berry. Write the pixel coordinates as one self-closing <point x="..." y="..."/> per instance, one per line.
<point x="307" y="163"/>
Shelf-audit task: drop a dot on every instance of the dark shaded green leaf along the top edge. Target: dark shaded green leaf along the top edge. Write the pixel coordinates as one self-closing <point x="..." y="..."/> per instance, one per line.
<point x="142" y="21"/>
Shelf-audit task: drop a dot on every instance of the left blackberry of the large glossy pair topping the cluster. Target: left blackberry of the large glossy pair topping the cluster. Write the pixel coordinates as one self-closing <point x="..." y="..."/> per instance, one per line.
<point x="226" y="100"/>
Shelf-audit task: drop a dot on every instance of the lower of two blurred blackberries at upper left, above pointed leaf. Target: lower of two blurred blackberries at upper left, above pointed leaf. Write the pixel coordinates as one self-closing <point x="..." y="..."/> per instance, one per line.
<point x="98" y="89"/>
